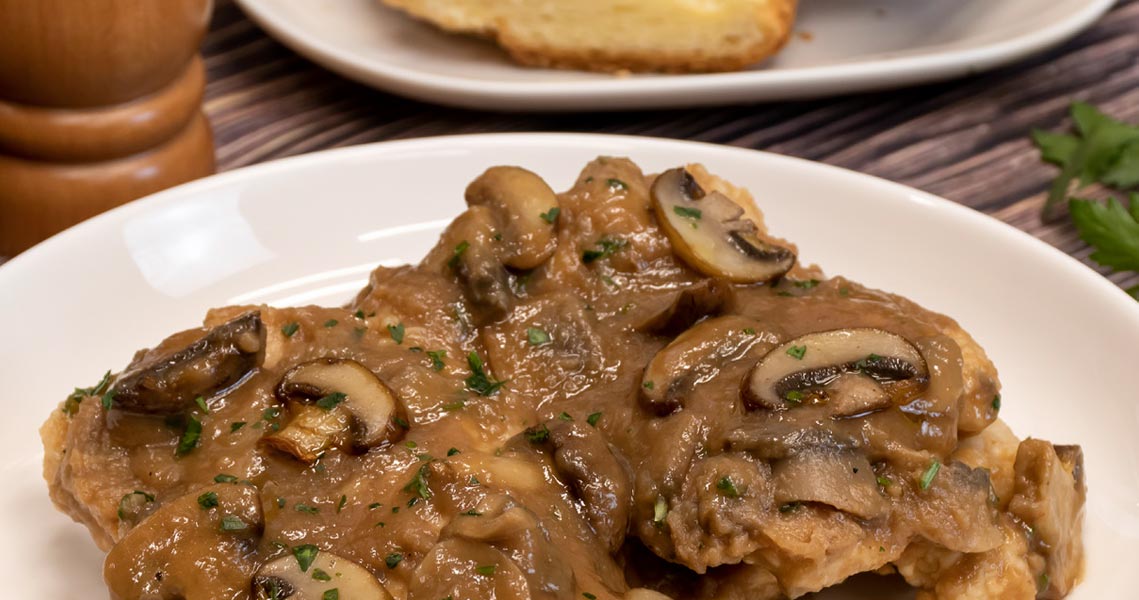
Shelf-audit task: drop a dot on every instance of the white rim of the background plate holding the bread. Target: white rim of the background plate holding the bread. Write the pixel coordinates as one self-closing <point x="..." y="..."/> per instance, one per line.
<point x="670" y="91"/>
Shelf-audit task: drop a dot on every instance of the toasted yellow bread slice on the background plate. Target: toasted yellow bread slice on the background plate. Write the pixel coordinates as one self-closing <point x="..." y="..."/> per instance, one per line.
<point x="662" y="36"/>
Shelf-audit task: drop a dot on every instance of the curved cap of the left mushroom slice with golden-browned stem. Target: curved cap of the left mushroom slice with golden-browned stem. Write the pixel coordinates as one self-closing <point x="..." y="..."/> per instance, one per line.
<point x="379" y="417"/>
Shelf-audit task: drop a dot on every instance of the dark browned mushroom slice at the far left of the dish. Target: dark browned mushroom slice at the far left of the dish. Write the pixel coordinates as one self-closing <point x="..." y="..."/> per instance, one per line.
<point x="169" y="383"/>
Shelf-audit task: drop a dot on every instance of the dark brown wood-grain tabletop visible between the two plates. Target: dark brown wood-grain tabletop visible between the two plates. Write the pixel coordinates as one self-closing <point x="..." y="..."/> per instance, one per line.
<point x="966" y="141"/>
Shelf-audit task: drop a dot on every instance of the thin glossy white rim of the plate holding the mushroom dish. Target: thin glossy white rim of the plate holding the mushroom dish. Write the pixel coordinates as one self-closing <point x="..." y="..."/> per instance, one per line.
<point x="60" y="242"/>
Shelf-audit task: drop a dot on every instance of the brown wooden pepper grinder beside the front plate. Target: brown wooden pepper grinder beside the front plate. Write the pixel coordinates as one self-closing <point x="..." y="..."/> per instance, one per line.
<point x="100" y="104"/>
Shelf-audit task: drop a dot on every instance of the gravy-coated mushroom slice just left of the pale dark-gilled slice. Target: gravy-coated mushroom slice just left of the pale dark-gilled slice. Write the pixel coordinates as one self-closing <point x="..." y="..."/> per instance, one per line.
<point x="696" y="357"/>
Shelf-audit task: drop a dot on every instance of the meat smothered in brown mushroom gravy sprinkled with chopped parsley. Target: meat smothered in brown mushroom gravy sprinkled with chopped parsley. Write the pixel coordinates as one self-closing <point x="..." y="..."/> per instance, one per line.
<point x="629" y="390"/>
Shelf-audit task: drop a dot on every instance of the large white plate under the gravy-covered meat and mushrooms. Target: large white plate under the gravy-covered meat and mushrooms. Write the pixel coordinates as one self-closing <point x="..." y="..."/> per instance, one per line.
<point x="309" y="229"/>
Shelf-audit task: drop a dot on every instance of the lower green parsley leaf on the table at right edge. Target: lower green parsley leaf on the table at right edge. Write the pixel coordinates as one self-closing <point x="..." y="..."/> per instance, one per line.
<point x="1111" y="229"/>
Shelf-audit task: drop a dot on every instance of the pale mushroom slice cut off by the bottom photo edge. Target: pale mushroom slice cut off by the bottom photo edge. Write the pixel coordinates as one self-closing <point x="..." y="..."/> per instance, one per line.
<point x="284" y="579"/>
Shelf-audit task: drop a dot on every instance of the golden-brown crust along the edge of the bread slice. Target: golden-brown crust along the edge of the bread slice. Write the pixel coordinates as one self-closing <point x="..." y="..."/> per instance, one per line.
<point x="775" y="21"/>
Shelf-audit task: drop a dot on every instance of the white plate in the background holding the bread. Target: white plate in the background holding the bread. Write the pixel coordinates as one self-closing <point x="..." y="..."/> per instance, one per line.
<point x="855" y="46"/>
